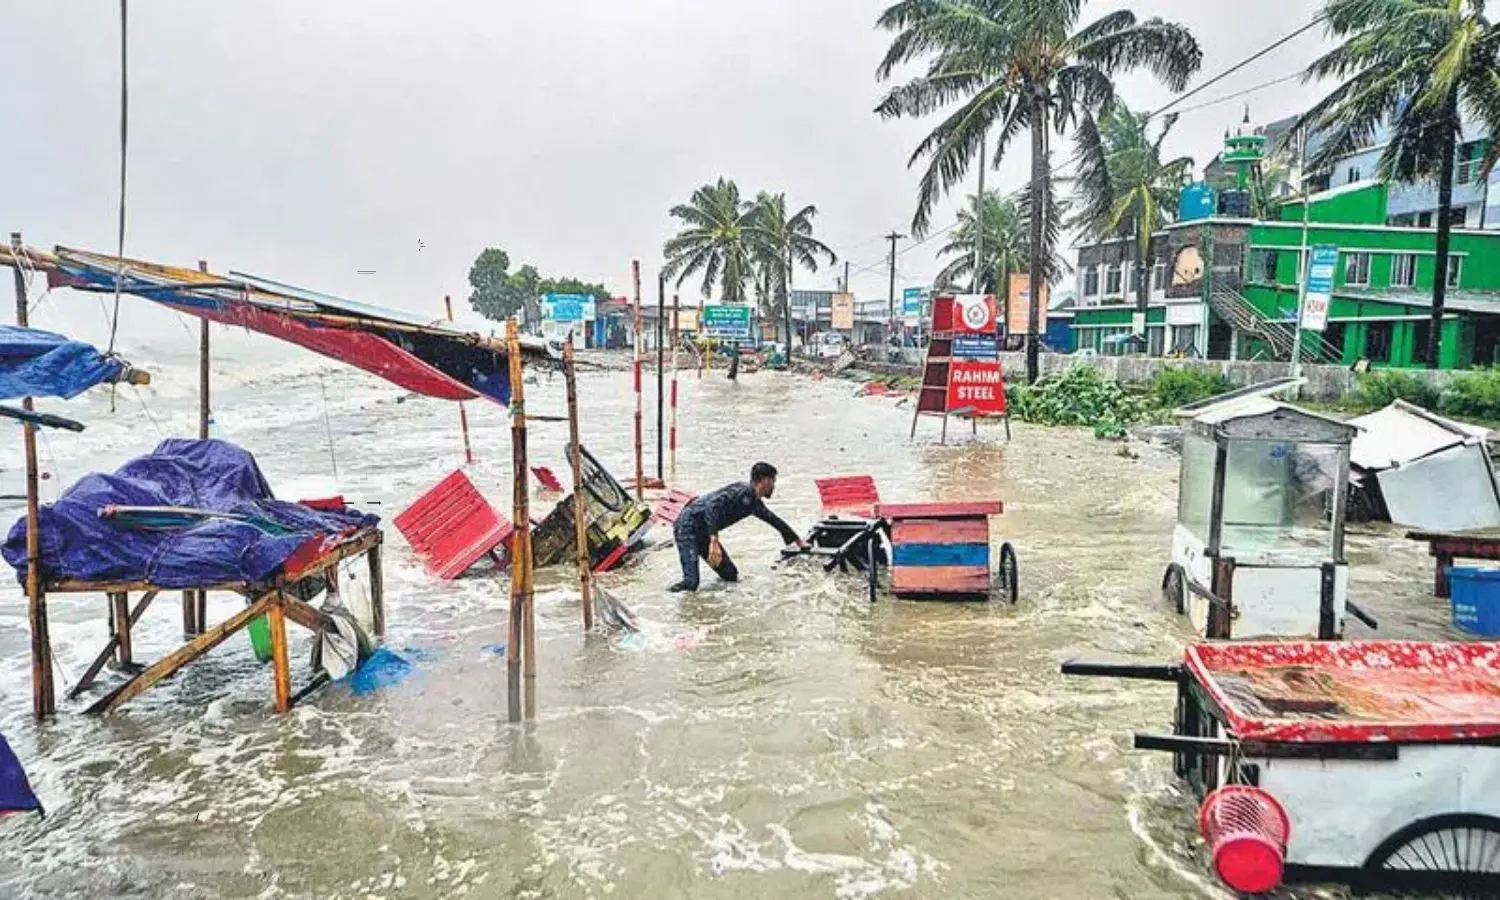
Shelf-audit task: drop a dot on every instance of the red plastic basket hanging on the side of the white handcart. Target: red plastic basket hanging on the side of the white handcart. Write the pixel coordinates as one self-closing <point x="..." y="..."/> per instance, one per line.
<point x="1247" y="832"/>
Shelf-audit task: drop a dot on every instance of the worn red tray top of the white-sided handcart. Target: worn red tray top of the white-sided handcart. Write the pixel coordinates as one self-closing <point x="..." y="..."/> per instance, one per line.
<point x="1354" y="692"/>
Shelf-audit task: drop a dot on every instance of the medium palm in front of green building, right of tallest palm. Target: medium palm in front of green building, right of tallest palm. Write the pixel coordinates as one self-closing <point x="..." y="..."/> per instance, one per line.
<point x="1126" y="188"/>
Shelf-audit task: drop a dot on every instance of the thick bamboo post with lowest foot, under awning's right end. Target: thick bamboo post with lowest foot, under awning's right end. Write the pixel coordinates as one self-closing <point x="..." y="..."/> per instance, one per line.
<point x="521" y="635"/>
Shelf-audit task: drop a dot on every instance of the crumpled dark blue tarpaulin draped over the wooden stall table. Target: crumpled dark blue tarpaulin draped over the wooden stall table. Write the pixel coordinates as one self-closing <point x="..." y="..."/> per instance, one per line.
<point x="217" y="476"/>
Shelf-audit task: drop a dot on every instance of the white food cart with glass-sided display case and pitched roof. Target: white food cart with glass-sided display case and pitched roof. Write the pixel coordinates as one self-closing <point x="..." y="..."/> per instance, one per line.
<point x="1259" y="545"/>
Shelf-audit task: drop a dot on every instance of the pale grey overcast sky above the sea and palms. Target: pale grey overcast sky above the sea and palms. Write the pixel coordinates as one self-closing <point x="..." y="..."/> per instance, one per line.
<point x="307" y="142"/>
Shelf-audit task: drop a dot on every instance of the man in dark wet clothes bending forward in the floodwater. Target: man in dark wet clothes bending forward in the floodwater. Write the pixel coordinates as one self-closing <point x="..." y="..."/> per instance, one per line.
<point x="697" y="530"/>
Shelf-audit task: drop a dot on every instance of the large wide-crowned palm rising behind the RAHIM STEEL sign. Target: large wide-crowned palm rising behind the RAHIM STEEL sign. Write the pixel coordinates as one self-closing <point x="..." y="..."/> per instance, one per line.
<point x="1016" y="65"/>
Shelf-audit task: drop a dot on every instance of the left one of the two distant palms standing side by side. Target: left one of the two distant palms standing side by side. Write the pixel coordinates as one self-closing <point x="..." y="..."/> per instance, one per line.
<point x="719" y="241"/>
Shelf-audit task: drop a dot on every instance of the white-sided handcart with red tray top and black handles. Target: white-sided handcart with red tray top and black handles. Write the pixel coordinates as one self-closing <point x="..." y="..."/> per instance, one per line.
<point x="1382" y="760"/>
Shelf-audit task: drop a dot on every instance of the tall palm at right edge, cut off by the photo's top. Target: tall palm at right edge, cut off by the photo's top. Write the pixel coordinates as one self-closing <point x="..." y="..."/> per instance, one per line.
<point x="1417" y="67"/>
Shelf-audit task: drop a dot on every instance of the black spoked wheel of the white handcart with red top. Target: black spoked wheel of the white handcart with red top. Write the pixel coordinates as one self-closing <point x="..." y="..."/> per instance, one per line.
<point x="1445" y="857"/>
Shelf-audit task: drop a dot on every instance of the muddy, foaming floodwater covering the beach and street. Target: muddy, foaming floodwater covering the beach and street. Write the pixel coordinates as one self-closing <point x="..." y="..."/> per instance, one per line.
<point x="781" y="737"/>
